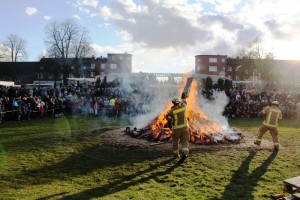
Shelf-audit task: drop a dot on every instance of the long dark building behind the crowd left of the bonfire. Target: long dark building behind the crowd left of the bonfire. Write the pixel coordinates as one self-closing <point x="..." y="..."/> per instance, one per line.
<point x="52" y="69"/>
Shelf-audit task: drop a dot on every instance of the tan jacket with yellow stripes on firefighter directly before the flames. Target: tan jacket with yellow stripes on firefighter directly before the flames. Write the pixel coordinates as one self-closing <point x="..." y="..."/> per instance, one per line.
<point x="177" y="117"/>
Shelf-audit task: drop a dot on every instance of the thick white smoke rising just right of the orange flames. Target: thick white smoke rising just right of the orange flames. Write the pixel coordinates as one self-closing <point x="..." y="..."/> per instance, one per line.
<point x="214" y="109"/>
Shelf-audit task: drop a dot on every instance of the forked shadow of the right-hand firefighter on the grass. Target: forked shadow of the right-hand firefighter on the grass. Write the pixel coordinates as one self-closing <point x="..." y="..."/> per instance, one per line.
<point x="242" y="184"/>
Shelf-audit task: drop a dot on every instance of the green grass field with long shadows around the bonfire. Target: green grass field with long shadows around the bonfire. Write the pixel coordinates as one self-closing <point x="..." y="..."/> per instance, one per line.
<point x="62" y="159"/>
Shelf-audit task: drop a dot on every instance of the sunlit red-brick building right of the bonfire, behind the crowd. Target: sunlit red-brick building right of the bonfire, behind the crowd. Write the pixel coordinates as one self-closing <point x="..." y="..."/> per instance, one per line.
<point x="274" y="73"/>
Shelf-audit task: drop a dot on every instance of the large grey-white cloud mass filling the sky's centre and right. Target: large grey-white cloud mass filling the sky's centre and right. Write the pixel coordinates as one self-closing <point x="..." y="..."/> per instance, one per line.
<point x="164" y="36"/>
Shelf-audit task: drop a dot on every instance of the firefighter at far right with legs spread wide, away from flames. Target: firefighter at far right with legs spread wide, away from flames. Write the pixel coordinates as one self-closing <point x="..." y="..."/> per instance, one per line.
<point x="272" y="115"/>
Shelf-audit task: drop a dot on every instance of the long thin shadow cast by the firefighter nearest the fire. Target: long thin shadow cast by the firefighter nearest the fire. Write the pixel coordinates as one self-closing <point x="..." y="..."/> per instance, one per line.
<point x="126" y="182"/>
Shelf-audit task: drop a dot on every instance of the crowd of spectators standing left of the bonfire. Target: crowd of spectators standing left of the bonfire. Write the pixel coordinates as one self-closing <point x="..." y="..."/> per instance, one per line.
<point x="27" y="103"/>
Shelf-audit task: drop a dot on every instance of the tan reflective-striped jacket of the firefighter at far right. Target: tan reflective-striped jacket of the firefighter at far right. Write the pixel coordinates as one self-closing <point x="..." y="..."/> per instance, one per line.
<point x="273" y="114"/>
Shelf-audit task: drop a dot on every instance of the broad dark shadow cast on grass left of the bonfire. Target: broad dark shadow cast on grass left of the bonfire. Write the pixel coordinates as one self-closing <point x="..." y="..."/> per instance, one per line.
<point x="88" y="160"/>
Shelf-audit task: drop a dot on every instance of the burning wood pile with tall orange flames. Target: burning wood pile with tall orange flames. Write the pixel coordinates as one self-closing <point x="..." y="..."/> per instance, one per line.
<point x="203" y="130"/>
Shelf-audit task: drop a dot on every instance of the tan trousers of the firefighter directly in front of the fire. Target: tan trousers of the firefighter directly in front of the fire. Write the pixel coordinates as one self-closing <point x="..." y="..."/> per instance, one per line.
<point x="180" y="136"/>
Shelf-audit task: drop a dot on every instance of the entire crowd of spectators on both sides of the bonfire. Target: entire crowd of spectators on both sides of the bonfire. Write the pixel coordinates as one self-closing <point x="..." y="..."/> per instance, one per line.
<point x="114" y="101"/>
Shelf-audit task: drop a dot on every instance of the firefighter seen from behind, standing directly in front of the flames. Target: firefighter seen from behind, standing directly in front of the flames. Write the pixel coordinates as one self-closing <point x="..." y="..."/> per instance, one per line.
<point x="177" y="122"/>
